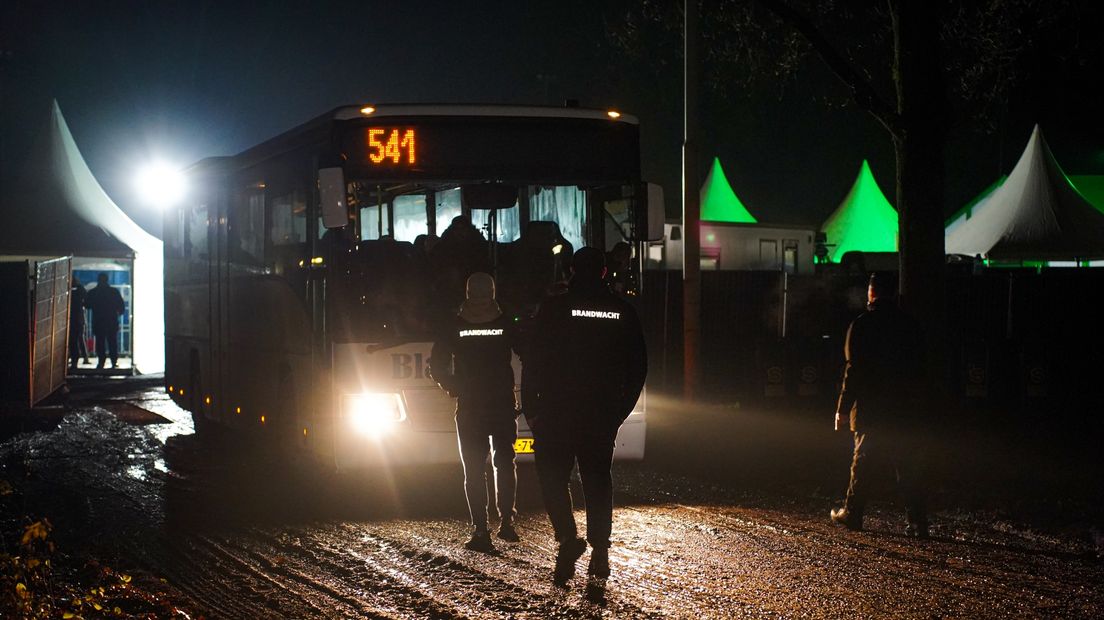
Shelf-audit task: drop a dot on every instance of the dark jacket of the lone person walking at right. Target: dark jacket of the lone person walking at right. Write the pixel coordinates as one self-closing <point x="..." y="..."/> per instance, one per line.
<point x="885" y="372"/>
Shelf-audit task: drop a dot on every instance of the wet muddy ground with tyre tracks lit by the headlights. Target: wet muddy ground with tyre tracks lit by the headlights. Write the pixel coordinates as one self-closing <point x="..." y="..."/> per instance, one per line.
<point x="727" y="518"/>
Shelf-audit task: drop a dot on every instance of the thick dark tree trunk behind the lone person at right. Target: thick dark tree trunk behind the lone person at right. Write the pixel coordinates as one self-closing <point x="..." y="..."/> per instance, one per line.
<point x="920" y="147"/>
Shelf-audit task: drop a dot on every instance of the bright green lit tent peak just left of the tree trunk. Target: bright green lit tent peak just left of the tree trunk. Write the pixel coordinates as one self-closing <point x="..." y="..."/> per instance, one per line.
<point x="865" y="221"/>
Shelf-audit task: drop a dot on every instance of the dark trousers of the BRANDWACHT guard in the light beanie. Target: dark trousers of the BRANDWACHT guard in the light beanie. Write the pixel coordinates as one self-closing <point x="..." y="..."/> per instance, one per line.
<point x="473" y="434"/>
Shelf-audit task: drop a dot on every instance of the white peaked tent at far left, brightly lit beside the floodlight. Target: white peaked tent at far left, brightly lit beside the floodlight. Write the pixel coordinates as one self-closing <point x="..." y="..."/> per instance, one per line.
<point x="60" y="209"/>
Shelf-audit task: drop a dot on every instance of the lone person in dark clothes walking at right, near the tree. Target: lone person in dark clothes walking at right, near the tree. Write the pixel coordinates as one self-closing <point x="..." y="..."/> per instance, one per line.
<point x="882" y="394"/>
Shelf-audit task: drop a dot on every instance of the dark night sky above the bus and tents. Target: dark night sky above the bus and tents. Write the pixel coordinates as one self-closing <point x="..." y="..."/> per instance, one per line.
<point x="184" y="81"/>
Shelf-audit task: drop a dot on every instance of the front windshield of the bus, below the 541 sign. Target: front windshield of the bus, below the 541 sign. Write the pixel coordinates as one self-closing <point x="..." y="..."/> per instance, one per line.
<point x="396" y="282"/>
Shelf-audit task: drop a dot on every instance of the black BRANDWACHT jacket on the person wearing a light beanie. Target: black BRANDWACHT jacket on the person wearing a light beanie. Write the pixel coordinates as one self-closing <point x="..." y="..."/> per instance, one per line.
<point x="472" y="361"/>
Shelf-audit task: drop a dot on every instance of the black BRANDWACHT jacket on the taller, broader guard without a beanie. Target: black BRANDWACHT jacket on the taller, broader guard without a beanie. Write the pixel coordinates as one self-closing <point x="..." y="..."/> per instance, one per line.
<point x="586" y="362"/>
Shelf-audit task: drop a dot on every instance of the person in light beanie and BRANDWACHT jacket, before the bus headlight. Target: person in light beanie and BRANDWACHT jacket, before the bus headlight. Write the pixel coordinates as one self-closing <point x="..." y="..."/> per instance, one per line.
<point x="471" y="361"/>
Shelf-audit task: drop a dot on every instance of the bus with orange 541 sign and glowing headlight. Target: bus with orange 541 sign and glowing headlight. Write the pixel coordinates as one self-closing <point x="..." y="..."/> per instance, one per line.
<point x="306" y="276"/>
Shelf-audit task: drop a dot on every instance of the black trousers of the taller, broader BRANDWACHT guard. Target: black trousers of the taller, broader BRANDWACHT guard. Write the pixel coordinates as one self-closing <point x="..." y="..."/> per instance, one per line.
<point x="557" y="451"/>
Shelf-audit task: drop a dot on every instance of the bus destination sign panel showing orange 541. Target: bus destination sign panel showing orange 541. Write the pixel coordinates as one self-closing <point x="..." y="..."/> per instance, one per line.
<point x="506" y="149"/>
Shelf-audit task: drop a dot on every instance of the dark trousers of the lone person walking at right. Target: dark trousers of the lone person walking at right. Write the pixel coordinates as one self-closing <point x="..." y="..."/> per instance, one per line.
<point x="877" y="459"/>
